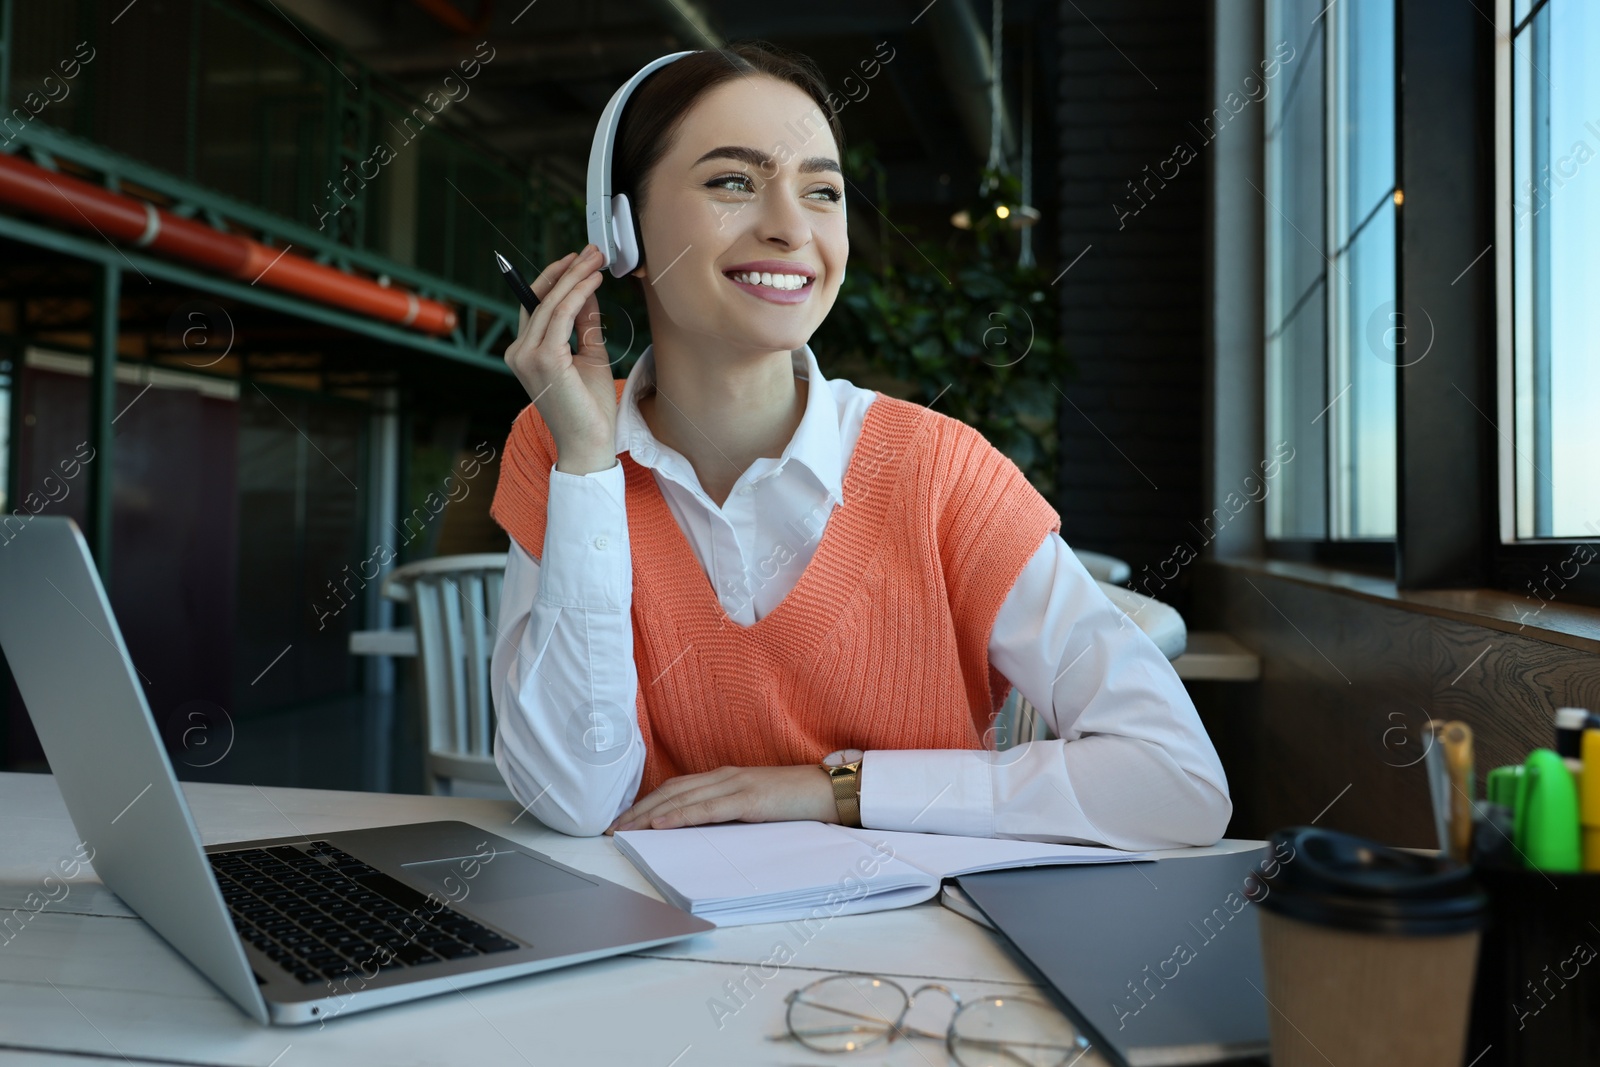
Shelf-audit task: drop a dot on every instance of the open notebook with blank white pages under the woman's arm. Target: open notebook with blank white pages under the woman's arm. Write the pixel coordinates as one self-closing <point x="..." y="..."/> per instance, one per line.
<point x="772" y="873"/>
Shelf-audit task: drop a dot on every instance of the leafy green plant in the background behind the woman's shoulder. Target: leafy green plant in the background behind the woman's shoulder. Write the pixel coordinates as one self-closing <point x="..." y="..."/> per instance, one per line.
<point x="956" y="326"/>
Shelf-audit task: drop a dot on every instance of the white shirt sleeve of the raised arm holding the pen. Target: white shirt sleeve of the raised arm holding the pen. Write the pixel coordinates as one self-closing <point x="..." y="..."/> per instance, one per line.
<point x="562" y="671"/>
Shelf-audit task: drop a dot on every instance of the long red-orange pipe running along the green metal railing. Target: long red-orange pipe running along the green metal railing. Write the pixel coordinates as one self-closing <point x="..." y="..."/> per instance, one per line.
<point x="90" y="207"/>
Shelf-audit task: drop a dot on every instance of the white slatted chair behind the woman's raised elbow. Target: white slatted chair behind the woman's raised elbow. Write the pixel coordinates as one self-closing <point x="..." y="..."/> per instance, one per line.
<point x="455" y="605"/>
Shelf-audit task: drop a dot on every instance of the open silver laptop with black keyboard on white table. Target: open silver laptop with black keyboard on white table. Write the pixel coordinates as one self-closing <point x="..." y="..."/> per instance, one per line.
<point x="298" y="929"/>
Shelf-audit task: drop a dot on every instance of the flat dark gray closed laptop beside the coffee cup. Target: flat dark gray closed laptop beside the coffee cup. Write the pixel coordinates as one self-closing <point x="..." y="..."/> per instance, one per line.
<point x="1158" y="962"/>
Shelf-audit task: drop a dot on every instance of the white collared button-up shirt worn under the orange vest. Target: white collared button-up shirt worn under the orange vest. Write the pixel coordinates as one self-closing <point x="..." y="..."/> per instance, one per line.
<point x="1130" y="767"/>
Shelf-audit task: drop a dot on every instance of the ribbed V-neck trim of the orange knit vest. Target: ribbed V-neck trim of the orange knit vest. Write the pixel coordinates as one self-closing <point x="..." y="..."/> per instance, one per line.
<point x="868" y="511"/>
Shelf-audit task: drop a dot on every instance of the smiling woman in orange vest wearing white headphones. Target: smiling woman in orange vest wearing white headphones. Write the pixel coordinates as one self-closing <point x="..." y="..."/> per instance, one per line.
<point x="729" y="570"/>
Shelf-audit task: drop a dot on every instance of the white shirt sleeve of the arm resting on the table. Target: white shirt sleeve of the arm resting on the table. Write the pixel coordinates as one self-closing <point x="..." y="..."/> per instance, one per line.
<point x="1132" y="765"/>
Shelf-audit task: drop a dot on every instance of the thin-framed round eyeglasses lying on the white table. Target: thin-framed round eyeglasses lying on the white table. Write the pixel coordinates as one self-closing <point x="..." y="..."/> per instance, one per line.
<point x="847" y="1013"/>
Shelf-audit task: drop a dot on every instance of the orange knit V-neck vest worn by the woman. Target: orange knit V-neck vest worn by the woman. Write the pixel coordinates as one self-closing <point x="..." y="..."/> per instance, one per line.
<point x="882" y="644"/>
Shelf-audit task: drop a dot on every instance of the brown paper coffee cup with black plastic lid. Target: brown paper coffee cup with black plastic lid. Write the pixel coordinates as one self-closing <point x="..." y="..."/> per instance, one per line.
<point x="1369" y="953"/>
